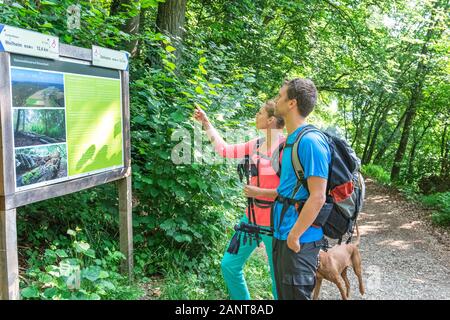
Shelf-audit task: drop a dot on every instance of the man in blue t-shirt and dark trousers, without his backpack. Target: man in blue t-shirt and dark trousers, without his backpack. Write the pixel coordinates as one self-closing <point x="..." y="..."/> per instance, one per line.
<point x="297" y="241"/>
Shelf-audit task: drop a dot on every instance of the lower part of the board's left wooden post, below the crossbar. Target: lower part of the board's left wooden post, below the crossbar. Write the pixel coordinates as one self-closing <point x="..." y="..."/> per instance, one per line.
<point x="9" y="264"/>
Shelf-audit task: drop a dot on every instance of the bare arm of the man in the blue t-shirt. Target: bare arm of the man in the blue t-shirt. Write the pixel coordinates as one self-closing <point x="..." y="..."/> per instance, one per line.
<point x="317" y="189"/>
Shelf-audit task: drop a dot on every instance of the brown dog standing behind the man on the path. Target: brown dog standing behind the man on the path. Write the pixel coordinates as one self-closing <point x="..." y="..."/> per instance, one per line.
<point x="334" y="263"/>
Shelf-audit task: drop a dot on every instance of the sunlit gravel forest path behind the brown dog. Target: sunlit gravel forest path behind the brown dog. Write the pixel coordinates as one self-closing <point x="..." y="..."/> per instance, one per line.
<point x="404" y="257"/>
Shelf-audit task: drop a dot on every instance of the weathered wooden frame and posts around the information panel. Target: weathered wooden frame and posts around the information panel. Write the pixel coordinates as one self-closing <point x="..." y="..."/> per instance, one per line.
<point x="10" y="199"/>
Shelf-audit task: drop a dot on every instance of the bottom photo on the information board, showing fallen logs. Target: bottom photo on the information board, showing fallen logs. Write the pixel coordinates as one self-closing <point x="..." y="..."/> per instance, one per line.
<point x="40" y="164"/>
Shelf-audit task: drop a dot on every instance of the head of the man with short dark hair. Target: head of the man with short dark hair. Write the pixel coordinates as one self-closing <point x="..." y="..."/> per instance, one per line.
<point x="296" y="95"/>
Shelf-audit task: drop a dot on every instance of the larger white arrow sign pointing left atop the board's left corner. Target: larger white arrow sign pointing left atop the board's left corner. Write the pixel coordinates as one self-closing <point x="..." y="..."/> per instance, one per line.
<point x="28" y="42"/>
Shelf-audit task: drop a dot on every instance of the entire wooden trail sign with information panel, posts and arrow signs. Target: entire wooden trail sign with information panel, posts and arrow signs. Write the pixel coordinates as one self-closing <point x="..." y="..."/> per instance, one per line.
<point x="64" y="127"/>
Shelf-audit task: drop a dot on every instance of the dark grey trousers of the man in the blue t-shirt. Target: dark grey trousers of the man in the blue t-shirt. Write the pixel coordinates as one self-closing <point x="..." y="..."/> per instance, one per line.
<point x="295" y="273"/>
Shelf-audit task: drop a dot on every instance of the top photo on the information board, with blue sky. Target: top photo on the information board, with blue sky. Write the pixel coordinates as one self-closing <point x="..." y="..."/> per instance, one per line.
<point x="32" y="88"/>
